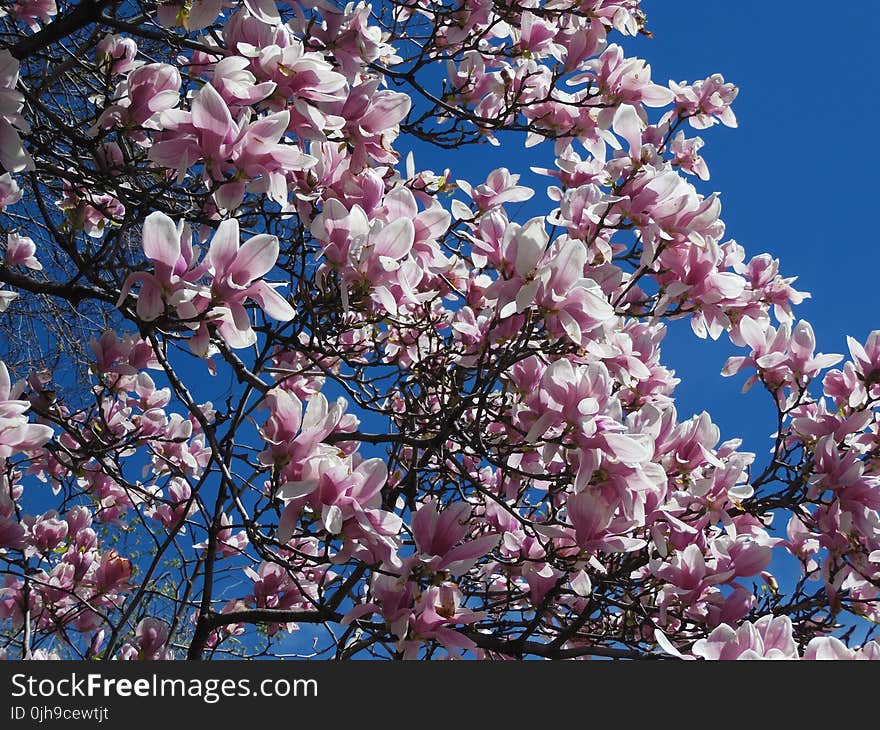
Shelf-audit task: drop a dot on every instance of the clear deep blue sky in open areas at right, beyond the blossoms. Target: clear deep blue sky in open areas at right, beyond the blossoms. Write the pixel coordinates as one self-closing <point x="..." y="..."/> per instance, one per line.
<point x="788" y="185"/>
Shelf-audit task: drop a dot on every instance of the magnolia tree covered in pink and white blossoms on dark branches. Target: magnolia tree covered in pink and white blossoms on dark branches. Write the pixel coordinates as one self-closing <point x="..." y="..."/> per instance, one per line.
<point x="272" y="389"/>
